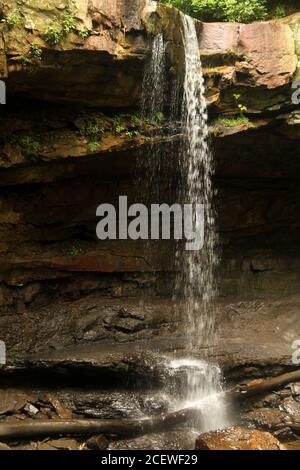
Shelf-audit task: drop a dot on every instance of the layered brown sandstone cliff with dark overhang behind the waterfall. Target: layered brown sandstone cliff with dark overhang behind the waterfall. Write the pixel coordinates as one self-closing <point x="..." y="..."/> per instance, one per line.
<point x="78" y="68"/>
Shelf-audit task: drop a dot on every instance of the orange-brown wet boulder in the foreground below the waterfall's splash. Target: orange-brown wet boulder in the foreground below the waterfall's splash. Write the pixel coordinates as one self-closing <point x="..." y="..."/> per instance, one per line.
<point x="237" y="438"/>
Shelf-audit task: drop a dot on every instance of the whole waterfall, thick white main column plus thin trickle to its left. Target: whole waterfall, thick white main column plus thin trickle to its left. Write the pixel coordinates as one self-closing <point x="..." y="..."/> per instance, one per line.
<point x="195" y="290"/>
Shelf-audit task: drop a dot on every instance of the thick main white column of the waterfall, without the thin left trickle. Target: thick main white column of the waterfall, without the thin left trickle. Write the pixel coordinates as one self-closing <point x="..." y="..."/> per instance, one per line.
<point x="196" y="282"/>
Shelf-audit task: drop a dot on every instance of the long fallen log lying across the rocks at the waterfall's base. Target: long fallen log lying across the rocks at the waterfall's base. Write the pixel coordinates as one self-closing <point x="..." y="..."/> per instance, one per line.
<point x="129" y="427"/>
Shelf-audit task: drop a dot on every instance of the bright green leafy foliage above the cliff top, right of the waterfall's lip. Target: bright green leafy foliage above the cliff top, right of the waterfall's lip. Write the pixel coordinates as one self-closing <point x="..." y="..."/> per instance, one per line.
<point x="244" y="11"/>
